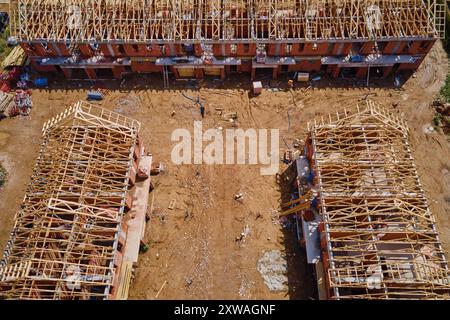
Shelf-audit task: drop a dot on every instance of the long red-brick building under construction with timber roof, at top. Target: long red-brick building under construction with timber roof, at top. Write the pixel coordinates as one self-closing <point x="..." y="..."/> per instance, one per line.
<point x="196" y="38"/>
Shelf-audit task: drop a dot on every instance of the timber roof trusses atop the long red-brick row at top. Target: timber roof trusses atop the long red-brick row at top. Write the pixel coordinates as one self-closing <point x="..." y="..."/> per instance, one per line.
<point x="193" y="21"/>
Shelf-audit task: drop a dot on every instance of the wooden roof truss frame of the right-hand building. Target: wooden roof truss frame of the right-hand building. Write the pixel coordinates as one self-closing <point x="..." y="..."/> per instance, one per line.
<point x="378" y="237"/>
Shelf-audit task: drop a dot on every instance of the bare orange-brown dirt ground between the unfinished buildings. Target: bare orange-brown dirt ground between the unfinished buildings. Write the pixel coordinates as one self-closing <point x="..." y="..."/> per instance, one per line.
<point x="196" y="253"/>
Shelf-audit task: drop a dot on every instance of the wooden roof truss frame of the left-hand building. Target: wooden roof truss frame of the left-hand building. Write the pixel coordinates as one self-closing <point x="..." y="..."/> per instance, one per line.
<point x="65" y="238"/>
